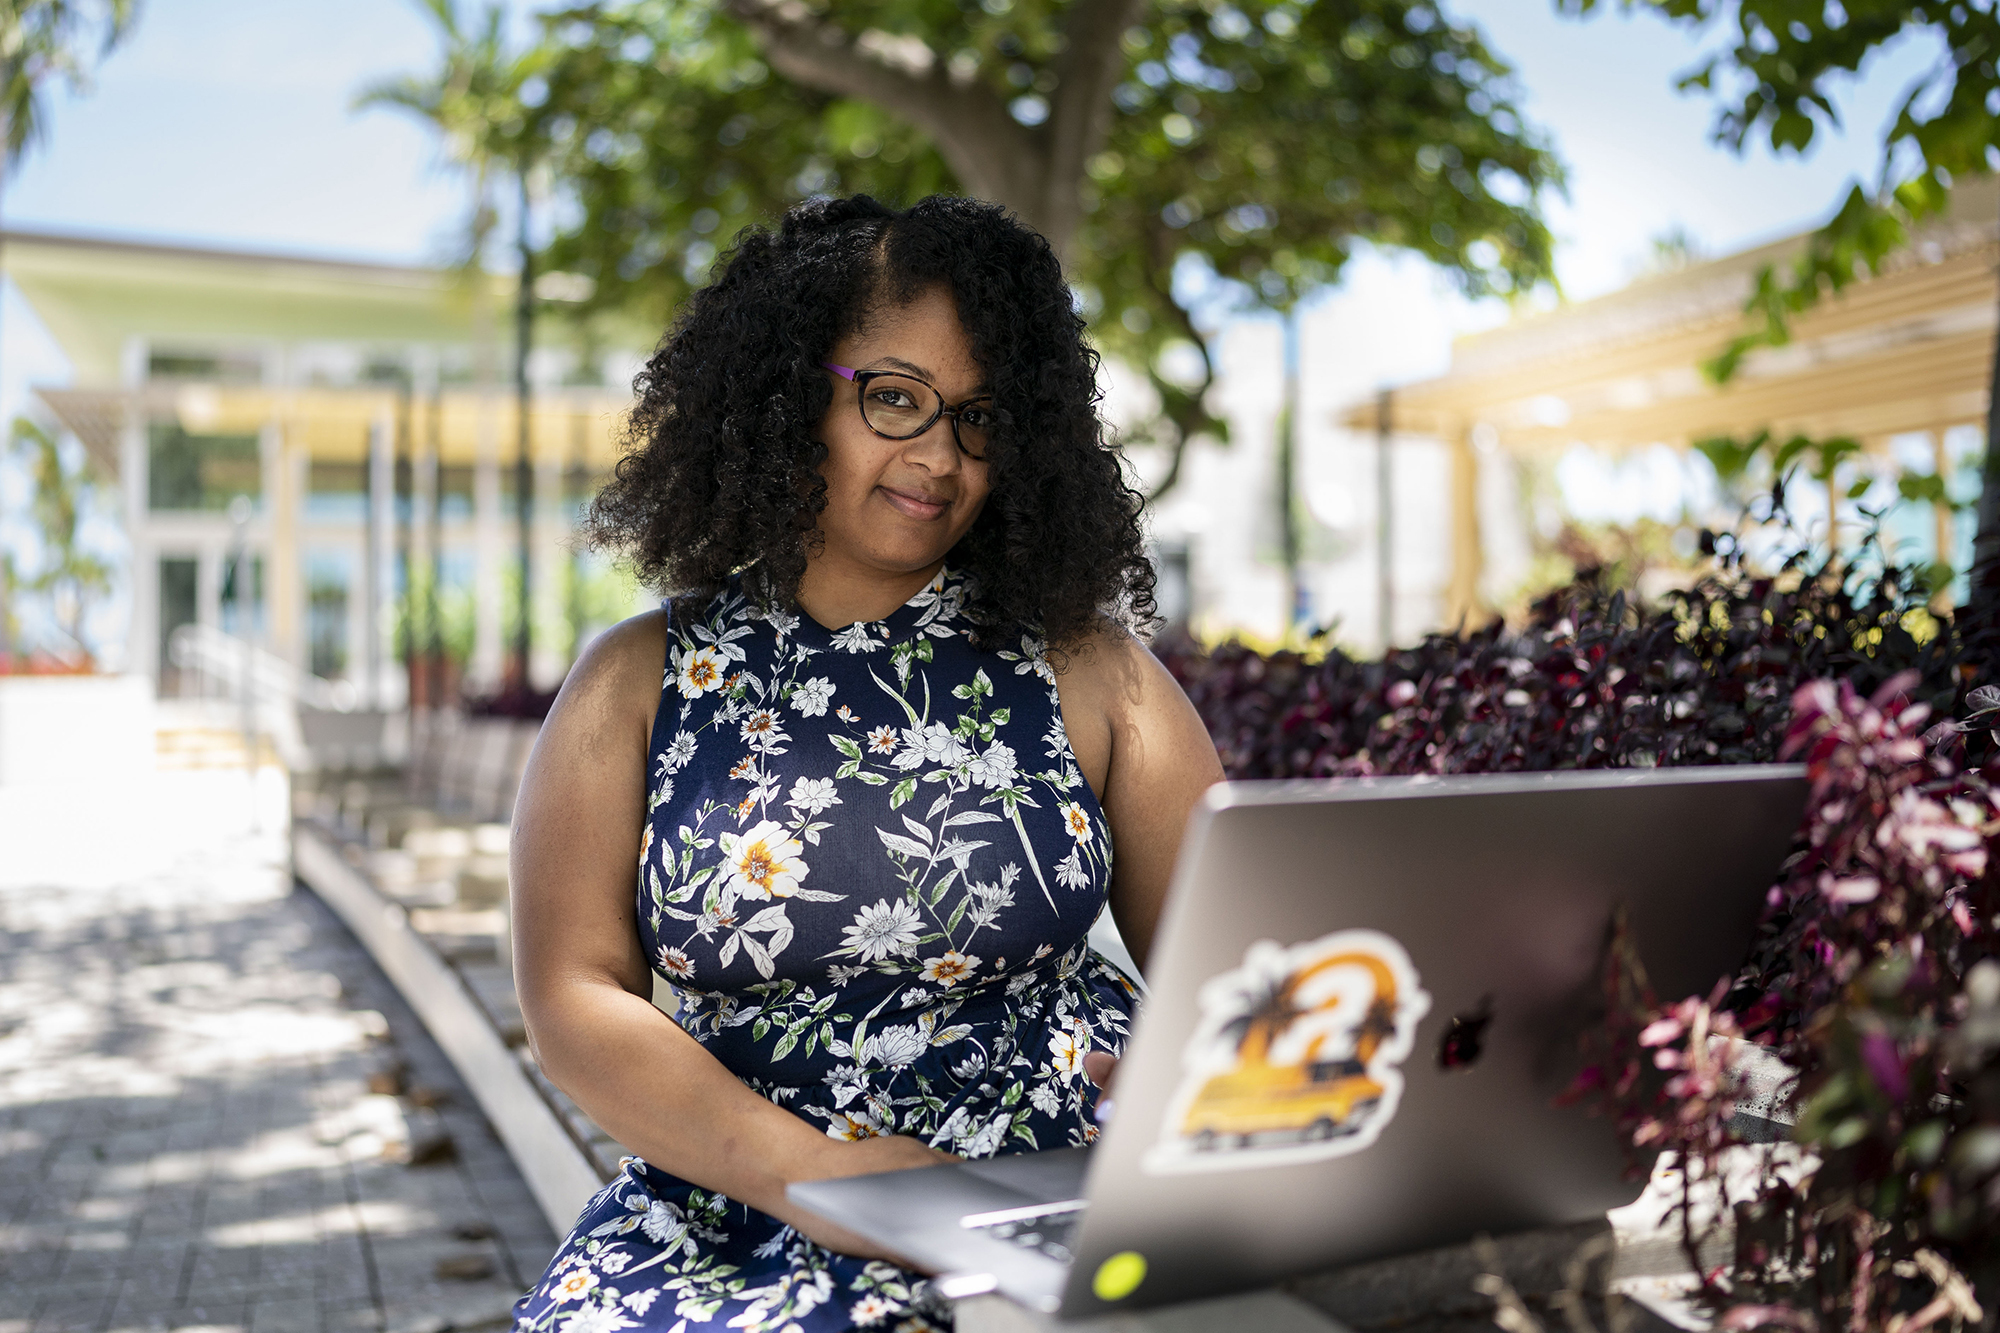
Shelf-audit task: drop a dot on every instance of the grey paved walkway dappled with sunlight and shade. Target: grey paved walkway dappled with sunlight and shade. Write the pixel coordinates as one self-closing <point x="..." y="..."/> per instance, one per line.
<point x="187" y="1128"/>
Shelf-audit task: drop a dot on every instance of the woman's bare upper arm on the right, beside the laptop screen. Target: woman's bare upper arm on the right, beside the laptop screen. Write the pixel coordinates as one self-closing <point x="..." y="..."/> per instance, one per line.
<point x="1145" y="752"/>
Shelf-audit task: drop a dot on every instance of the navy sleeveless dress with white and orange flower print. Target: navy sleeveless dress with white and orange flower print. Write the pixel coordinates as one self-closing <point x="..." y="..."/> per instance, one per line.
<point x="869" y="872"/>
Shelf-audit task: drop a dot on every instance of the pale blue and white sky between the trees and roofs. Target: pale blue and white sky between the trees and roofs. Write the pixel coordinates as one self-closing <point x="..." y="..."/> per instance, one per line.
<point x="227" y="123"/>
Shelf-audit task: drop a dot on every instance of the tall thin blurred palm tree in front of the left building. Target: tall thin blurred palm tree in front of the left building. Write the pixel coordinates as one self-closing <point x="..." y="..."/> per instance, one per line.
<point x="477" y="101"/>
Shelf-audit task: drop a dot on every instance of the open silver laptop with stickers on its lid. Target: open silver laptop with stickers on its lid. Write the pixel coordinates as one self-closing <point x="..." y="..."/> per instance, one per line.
<point x="1365" y="1000"/>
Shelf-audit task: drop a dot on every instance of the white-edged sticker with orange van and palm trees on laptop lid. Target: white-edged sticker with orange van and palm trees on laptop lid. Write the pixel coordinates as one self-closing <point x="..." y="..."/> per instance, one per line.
<point x="1295" y="1056"/>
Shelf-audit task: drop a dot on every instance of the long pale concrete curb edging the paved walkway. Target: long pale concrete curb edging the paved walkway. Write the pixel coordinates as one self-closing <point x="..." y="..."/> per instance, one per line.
<point x="559" y="1174"/>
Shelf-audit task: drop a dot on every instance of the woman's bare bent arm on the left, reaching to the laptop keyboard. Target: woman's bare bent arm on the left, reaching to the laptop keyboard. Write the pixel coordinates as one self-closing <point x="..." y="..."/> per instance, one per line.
<point x="585" y="984"/>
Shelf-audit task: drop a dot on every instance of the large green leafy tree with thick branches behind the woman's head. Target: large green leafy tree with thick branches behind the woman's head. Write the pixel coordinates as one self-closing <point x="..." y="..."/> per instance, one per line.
<point x="1183" y="157"/>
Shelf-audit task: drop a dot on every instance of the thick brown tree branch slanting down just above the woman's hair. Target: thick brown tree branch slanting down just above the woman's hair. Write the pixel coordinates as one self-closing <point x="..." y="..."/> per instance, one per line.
<point x="991" y="155"/>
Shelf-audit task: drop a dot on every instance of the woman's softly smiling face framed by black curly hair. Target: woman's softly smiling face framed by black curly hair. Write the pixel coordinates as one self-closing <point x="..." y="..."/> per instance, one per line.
<point x="897" y="507"/>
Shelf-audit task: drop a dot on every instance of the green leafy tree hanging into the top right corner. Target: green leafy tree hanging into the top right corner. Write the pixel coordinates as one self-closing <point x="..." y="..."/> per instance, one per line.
<point x="1777" y="79"/>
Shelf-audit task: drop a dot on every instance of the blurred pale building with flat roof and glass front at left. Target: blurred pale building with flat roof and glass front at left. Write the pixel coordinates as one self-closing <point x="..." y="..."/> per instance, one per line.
<point x="353" y="427"/>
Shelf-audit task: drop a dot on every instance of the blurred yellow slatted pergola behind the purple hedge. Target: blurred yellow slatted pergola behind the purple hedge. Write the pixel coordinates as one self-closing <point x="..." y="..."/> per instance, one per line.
<point x="1903" y="351"/>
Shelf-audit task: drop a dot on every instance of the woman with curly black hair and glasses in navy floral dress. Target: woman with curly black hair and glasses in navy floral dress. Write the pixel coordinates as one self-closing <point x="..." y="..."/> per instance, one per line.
<point x="903" y="726"/>
